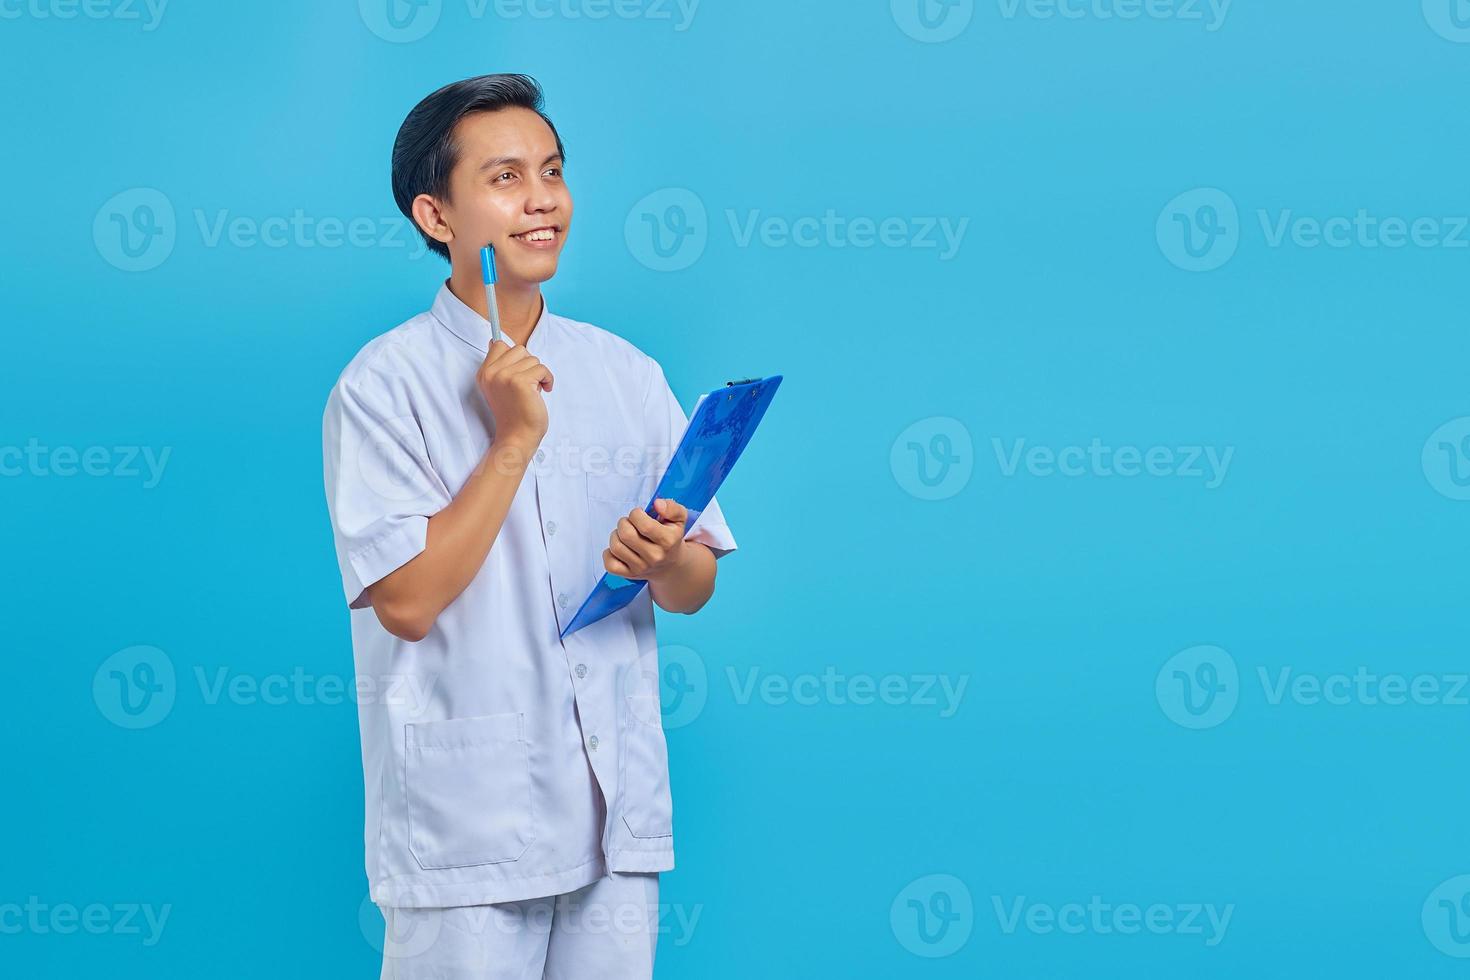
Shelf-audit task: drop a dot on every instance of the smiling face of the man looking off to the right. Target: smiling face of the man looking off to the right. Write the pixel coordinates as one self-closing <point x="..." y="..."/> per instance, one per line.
<point x="508" y="192"/>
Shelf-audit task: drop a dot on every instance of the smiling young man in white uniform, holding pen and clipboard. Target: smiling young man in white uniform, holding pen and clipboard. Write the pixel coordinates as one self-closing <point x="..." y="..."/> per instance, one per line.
<point x="517" y="784"/>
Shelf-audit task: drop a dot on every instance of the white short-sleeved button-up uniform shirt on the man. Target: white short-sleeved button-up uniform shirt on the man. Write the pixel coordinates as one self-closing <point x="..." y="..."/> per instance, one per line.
<point x="501" y="762"/>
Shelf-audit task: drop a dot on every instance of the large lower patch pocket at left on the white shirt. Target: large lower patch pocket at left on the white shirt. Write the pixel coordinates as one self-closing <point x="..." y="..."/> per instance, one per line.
<point x="468" y="782"/>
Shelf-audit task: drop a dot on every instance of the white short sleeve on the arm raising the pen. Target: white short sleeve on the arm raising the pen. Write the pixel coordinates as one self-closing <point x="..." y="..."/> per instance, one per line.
<point x="381" y="489"/>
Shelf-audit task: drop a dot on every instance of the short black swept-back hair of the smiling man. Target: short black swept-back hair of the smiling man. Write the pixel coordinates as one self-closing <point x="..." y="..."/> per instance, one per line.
<point x="426" y="152"/>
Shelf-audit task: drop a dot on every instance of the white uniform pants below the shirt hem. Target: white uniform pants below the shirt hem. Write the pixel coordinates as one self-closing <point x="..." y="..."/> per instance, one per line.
<point x="606" y="931"/>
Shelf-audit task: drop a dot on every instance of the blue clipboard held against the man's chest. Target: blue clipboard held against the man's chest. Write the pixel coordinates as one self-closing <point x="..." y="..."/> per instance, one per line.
<point x="721" y="428"/>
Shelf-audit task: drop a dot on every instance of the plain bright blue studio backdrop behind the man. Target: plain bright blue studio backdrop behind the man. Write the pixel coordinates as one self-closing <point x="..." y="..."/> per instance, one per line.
<point x="1334" y="543"/>
